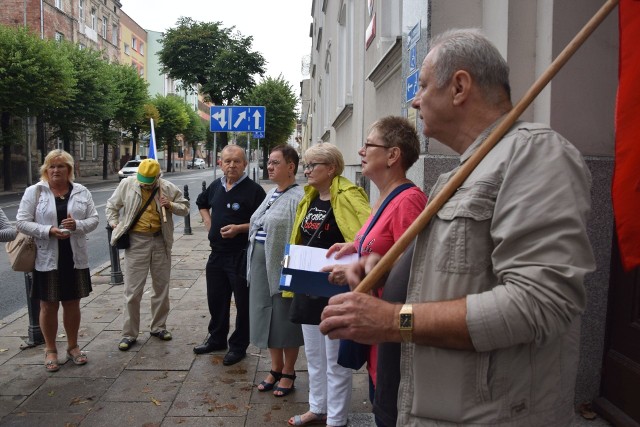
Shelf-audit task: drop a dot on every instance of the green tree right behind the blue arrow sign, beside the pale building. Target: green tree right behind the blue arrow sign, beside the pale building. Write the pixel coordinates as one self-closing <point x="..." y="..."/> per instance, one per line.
<point x="277" y="96"/>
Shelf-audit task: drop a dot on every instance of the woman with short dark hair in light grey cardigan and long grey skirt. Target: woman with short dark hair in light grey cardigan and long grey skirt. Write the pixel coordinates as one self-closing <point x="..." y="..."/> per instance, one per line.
<point x="269" y="230"/>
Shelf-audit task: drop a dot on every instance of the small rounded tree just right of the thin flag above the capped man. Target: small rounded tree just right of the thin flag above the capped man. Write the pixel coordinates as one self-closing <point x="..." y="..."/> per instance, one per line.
<point x="174" y="120"/>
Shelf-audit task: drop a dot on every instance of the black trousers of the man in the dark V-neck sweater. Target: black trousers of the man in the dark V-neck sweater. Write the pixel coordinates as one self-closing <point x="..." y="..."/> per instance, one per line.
<point x="226" y="276"/>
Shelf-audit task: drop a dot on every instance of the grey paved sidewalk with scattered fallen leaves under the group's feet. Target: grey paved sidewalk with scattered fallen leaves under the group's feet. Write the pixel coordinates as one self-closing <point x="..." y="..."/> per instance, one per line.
<point x="156" y="383"/>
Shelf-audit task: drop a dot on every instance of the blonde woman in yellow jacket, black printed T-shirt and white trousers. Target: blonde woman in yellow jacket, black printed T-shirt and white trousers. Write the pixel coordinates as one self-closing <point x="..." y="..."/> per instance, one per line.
<point x="340" y="208"/>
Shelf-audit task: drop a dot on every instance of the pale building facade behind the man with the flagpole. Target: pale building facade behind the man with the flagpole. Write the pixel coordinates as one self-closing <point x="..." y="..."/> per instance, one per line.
<point x="365" y="56"/>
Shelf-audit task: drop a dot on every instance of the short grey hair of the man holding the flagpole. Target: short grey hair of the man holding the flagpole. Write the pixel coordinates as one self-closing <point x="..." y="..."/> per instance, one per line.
<point x="470" y="50"/>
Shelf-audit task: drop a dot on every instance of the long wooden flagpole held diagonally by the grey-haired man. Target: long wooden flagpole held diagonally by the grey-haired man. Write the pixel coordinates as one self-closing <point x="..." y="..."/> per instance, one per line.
<point x="467" y="167"/>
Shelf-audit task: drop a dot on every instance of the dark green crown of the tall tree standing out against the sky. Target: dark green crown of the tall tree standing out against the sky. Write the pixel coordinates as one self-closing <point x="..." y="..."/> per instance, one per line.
<point x="214" y="57"/>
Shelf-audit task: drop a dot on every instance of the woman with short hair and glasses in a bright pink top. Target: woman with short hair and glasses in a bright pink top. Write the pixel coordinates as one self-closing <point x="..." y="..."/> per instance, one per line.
<point x="391" y="148"/>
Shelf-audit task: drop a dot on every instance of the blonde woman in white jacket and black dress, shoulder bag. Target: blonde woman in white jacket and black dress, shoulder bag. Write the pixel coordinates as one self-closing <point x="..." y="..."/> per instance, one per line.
<point x="59" y="213"/>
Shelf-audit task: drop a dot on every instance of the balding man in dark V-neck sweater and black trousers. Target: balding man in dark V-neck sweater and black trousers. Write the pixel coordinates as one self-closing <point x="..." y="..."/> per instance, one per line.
<point x="226" y="208"/>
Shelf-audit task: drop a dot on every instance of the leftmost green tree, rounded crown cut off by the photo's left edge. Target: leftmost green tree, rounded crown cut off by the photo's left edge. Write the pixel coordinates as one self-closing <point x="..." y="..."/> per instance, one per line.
<point x="34" y="78"/>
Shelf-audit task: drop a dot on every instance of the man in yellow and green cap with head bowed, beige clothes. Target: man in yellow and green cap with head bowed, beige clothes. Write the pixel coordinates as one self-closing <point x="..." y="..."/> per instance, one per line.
<point x="142" y="208"/>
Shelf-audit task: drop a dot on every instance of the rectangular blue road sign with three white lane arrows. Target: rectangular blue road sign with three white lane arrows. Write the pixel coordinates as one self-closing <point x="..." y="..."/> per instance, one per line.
<point x="237" y="118"/>
